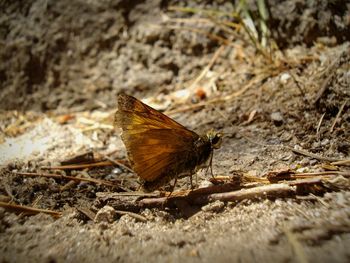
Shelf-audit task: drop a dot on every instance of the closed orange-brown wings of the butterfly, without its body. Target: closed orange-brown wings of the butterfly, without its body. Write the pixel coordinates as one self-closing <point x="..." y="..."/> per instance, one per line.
<point x="156" y="144"/>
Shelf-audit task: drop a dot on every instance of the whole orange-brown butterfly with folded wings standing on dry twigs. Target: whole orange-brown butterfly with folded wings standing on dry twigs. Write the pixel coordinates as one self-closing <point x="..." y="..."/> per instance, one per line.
<point x="159" y="148"/>
